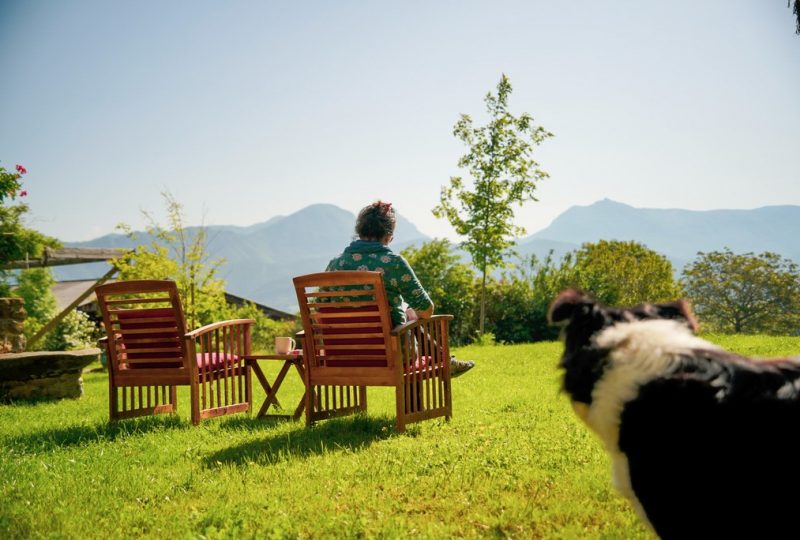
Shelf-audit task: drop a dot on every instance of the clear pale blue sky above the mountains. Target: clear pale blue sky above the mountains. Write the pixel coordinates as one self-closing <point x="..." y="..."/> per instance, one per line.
<point x="247" y="110"/>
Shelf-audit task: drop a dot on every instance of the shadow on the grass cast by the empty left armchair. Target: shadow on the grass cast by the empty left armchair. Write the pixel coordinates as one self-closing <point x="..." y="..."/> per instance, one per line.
<point x="63" y="437"/>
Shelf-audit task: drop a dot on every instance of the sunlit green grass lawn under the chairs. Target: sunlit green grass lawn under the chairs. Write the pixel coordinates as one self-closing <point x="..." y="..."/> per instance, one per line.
<point x="513" y="462"/>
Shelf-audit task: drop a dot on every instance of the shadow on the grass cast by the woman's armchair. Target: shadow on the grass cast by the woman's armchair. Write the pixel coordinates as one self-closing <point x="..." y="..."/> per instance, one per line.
<point x="350" y="433"/>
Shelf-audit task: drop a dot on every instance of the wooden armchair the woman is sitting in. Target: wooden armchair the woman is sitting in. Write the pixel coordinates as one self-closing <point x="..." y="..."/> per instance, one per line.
<point x="349" y="344"/>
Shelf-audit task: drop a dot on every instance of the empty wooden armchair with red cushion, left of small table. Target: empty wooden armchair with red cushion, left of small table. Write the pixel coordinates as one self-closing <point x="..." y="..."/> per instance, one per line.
<point x="150" y="354"/>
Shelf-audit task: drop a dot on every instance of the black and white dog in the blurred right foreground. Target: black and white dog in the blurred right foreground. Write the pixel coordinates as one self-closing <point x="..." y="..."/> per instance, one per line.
<point x="705" y="443"/>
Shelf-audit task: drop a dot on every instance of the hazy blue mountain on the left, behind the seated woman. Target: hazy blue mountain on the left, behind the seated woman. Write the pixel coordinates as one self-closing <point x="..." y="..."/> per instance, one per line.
<point x="261" y="259"/>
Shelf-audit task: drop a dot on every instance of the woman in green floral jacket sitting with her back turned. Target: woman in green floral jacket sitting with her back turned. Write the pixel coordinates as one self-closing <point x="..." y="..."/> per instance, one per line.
<point x="375" y="228"/>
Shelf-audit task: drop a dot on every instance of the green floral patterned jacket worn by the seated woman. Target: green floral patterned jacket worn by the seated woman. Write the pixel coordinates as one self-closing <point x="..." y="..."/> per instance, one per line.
<point x="401" y="283"/>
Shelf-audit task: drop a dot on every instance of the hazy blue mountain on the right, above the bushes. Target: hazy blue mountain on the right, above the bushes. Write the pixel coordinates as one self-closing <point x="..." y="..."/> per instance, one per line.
<point x="678" y="234"/>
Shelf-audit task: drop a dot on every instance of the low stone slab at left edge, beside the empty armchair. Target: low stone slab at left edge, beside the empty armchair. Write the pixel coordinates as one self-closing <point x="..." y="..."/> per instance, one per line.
<point x="44" y="374"/>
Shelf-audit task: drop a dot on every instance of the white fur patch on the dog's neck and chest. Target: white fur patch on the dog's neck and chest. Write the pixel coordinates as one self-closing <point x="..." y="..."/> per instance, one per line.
<point x="640" y="352"/>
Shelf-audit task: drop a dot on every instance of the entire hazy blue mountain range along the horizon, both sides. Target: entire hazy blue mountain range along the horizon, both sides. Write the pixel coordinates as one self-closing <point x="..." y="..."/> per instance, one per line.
<point x="261" y="259"/>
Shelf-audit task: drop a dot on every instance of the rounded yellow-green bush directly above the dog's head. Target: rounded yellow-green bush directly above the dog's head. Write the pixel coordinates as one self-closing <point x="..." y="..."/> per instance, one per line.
<point x="624" y="273"/>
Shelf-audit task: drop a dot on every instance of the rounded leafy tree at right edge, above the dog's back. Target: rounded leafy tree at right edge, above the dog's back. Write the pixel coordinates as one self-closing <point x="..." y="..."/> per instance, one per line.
<point x="745" y="293"/>
